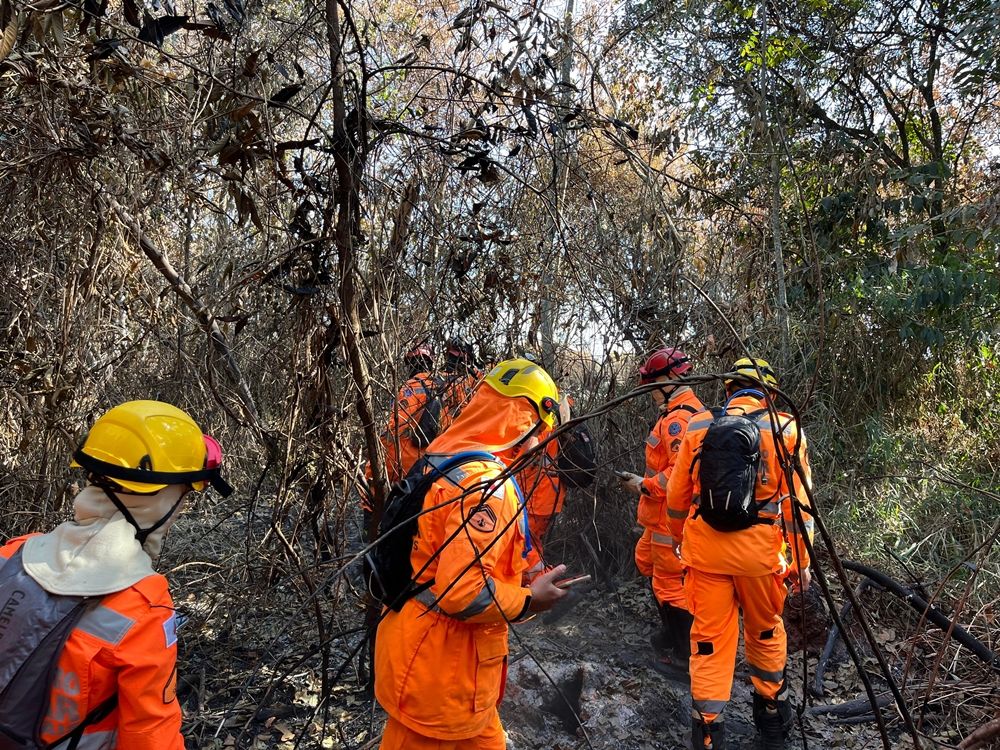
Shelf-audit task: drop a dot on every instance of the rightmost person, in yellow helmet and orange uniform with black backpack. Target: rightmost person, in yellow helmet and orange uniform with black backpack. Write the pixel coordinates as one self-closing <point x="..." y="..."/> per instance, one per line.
<point x="733" y="547"/>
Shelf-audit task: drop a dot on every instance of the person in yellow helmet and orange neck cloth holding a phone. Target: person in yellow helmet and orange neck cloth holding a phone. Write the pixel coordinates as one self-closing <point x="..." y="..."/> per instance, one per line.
<point x="441" y="661"/>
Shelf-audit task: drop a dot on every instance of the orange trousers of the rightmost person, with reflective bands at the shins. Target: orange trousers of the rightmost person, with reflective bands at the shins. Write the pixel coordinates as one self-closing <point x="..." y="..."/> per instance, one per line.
<point x="715" y="601"/>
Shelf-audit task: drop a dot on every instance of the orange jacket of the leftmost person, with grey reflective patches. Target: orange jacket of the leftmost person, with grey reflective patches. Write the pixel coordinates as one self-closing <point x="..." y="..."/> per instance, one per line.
<point x="126" y="645"/>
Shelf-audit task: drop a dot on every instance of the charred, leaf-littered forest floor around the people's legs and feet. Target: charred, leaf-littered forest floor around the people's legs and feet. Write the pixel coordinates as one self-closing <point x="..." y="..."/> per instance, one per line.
<point x="250" y="677"/>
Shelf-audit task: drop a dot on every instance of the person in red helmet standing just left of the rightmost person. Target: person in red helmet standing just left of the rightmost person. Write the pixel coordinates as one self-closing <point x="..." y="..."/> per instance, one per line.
<point x="654" y="554"/>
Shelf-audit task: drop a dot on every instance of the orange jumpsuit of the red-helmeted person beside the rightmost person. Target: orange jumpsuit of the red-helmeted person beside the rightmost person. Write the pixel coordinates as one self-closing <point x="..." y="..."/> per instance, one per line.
<point x="654" y="553"/>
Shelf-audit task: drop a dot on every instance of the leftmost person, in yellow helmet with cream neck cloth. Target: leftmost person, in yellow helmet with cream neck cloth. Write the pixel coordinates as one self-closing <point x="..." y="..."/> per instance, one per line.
<point x="115" y="680"/>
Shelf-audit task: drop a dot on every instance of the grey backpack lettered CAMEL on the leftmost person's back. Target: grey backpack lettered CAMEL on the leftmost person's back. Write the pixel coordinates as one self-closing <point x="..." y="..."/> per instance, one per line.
<point x="34" y="627"/>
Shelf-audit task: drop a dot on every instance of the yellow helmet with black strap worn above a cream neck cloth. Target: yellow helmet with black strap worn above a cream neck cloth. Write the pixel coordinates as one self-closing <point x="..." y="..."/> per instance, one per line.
<point x="144" y="446"/>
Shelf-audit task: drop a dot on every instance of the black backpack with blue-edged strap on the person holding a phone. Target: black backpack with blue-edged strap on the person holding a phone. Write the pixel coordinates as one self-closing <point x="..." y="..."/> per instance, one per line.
<point x="388" y="571"/>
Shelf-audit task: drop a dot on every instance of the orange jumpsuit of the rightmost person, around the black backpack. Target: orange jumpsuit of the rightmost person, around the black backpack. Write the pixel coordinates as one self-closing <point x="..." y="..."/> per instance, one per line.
<point x="729" y="571"/>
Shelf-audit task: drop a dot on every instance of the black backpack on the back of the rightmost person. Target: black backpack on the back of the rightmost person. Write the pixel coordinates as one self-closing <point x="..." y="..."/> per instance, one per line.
<point x="729" y="463"/>
